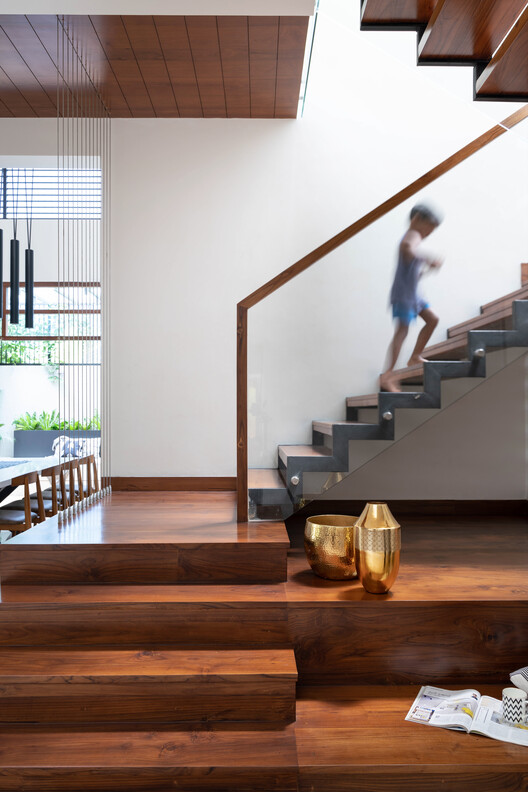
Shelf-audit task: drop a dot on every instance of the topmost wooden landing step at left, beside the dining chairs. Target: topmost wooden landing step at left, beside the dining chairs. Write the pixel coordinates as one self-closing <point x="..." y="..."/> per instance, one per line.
<point x="132" y="538"/>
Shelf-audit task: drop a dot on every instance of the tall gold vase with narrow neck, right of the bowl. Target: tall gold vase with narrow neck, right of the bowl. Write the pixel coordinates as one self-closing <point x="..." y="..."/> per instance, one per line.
<point x="377" y="543"/>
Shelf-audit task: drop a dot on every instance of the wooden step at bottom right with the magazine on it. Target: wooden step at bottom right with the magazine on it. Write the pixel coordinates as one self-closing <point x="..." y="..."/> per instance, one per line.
<point x="357" y="739"/>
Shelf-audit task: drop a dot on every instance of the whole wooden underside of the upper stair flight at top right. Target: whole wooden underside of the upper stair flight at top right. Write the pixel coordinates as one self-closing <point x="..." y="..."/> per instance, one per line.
<point x="492" y="34"/>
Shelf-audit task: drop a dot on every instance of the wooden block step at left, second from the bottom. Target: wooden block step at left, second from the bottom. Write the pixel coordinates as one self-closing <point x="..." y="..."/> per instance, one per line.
<point x="156" y="685"/>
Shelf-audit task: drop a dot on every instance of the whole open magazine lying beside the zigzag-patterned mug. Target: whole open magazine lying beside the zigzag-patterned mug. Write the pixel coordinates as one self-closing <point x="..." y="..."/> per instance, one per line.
<point x="464" y="710"/>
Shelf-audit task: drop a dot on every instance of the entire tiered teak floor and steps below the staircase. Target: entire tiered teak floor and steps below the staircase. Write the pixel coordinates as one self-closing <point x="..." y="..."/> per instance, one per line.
<point x="191" y="685"/>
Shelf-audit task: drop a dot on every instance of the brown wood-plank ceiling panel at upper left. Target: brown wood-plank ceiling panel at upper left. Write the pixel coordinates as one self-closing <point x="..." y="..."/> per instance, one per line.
<point x="159" y="66"/>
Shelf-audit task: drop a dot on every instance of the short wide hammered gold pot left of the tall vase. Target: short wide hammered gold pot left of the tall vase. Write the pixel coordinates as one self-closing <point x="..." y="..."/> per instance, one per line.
<point x="329" y="546"/>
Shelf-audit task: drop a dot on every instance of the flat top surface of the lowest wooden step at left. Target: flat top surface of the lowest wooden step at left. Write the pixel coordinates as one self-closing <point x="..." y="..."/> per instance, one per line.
<point x="40" y="747"/>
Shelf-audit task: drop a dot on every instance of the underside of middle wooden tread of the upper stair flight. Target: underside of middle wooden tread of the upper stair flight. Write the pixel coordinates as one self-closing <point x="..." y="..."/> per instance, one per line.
<point x="467" y="30"/>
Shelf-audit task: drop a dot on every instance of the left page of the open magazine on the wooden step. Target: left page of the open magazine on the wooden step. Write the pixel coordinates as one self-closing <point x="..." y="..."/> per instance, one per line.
<point x="449" y="709"/>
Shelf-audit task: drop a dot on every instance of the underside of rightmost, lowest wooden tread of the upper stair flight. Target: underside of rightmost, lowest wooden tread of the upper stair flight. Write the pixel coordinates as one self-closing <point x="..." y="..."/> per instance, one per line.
<point x="506" y="76"/>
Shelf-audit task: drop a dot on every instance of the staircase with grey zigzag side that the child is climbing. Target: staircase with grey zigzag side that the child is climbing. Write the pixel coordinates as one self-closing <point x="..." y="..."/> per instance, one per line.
<point x="501" y="324"/>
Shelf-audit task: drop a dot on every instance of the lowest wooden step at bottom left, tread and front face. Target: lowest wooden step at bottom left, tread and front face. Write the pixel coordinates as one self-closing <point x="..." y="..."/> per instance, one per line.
<point x="213" y="760"/>
